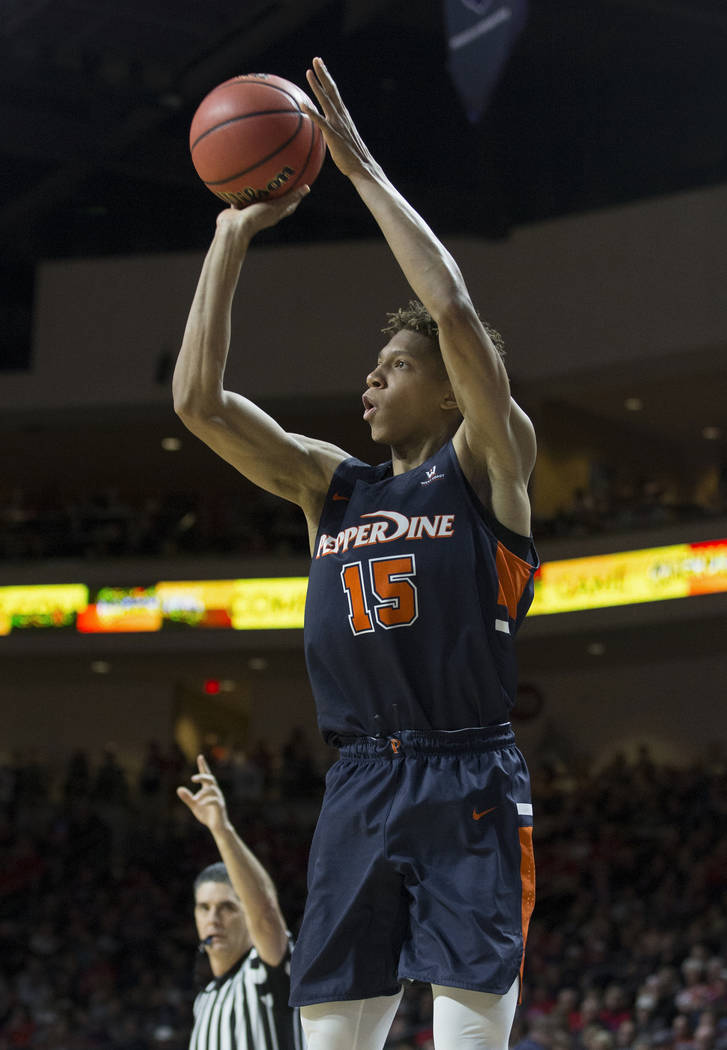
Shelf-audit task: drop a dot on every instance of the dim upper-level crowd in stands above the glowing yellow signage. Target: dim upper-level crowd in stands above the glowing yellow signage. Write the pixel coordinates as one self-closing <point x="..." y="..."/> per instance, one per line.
<point x="106" y="526"/>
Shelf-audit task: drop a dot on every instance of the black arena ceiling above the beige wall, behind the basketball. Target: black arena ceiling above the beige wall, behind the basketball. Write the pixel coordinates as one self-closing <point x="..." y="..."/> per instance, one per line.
<point x="604" y="101"/>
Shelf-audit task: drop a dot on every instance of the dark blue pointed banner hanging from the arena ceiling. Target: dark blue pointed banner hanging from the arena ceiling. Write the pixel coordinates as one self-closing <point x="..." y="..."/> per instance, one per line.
<point x="481" y="35"/>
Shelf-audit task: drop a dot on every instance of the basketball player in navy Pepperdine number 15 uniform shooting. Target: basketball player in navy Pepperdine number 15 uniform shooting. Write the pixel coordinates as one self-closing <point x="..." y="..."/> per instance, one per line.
<point x="422" y="865"/>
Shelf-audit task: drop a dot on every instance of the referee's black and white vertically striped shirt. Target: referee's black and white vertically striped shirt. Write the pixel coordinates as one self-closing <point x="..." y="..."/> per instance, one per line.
<point x="247" y="1010"/>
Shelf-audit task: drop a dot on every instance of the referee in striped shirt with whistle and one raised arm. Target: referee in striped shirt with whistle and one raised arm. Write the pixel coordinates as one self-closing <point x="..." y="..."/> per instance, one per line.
<point x="240" y="927"/>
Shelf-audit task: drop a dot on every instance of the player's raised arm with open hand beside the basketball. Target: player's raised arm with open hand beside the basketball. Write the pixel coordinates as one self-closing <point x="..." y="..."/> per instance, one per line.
<point x="496" y="438"/>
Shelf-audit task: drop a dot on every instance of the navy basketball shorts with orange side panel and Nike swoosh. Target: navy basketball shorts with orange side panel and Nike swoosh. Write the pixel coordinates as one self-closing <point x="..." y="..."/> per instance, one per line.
<point x="421" y="869"/>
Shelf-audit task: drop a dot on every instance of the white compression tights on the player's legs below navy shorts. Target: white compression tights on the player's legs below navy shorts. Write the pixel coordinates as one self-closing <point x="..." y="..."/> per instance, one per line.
<point x="463" y="1021"/>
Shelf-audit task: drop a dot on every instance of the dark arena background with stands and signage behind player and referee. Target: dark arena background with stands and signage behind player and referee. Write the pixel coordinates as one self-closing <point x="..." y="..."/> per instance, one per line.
<point x="151" y="599"/>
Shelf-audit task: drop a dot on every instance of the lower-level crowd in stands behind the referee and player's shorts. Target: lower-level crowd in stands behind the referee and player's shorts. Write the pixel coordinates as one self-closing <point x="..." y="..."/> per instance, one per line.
<point x="628" y="948"/>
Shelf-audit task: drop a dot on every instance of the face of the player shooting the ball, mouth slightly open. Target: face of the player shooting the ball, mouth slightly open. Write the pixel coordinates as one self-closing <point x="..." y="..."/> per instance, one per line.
<point x="406" y="391"/>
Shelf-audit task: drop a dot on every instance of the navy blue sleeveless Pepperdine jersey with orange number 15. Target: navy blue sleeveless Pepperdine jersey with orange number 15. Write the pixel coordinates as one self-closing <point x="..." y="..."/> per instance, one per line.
<point x="414" y="600"/>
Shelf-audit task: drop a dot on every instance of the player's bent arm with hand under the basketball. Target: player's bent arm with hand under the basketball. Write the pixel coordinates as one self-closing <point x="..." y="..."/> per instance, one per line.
<point x="296" y="468"/>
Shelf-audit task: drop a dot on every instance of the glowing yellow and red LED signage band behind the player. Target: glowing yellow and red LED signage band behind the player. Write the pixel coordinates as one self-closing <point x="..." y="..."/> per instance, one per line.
<point x="279" y="603"/>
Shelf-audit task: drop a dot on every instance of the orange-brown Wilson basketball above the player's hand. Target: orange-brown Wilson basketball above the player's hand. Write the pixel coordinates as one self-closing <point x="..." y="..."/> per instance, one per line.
<point x="251" y="141"/>
